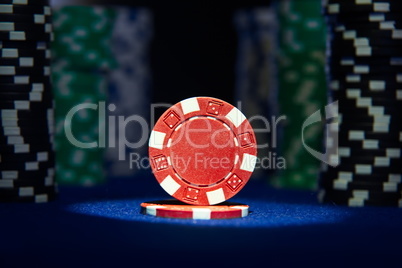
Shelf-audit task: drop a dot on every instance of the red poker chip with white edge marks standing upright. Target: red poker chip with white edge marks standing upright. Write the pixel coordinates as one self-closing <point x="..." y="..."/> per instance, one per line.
<point x="202" y="151"/>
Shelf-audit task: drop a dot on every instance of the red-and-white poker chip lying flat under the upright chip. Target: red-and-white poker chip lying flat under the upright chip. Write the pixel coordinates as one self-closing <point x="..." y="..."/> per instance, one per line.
<point x="179" y="210"/>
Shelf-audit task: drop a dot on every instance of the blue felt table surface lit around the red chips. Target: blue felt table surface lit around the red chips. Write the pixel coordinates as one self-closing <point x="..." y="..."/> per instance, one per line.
<point x="102" y="227"/>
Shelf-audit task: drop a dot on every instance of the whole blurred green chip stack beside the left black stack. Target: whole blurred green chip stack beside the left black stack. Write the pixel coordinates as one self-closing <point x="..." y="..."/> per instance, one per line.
<point x="81" y="61"/>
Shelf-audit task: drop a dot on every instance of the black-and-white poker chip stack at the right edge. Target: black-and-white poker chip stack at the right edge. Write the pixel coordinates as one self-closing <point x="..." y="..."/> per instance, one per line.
<point x="365" y="77"/>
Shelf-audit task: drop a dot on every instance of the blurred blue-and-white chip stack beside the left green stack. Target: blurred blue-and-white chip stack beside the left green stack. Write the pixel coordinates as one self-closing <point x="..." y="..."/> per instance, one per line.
<point x="129" y="86"/>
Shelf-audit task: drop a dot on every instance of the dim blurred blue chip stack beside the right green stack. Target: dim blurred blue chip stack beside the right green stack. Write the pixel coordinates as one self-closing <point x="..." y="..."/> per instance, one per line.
<point x="256" y="74"/>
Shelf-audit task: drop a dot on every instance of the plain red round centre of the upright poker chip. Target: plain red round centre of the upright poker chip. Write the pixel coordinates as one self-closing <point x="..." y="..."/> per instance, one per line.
<point x="203" y="150"/>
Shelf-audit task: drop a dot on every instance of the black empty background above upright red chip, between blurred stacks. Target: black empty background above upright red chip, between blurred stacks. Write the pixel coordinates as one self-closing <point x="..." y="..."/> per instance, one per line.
<point x="194" y="48"/>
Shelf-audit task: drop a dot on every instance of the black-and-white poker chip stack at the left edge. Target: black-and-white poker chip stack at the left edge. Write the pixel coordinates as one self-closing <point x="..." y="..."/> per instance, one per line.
<point x="26" y="105"/>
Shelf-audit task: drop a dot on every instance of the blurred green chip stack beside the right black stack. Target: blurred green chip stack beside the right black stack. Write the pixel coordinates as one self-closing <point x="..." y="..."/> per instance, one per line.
<point x="302" y="90"/>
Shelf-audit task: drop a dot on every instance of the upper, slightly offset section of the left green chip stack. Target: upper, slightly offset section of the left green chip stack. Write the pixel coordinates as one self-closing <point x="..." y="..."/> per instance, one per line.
<point x="82" y="36"/>
